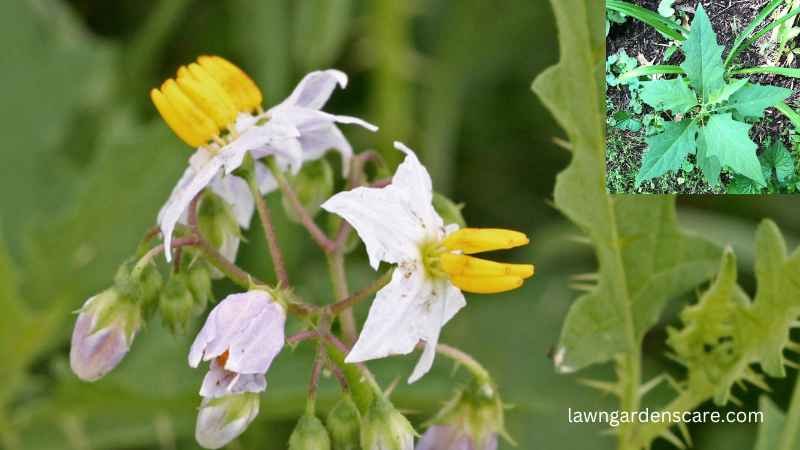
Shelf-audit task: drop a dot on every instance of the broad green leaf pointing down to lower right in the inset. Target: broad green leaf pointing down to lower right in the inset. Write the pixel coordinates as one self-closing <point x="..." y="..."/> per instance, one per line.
<point x="729" y="142"/>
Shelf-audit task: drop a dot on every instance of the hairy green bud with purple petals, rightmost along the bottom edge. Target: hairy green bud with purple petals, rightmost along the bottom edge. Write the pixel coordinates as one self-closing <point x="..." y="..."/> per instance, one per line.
<point x="472" y="420"/>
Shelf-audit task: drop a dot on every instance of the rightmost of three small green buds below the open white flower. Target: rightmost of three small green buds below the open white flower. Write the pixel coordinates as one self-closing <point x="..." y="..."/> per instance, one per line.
<point x="384" y="428"/>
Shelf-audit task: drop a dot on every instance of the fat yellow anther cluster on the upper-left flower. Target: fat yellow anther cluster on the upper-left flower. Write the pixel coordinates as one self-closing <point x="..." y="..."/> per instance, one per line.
<point x="205" y="98"/>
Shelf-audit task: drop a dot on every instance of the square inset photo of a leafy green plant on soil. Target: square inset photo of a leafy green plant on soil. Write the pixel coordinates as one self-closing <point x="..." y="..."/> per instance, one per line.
<point x="702" y="96"/>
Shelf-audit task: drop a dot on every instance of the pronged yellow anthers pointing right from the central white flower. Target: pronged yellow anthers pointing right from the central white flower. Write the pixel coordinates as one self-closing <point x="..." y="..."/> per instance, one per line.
<point x="478" y="275"/>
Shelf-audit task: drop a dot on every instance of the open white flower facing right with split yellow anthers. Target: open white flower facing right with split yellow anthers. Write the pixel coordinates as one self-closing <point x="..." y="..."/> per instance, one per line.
<point x="399" y="226"/>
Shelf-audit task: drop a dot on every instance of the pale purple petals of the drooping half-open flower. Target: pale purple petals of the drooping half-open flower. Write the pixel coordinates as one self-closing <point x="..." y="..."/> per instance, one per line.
<point x="249" y="326"/>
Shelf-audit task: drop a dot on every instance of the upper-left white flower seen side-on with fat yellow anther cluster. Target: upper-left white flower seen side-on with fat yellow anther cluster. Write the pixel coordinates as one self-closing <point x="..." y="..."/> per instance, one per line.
<point x="212" y="96"/>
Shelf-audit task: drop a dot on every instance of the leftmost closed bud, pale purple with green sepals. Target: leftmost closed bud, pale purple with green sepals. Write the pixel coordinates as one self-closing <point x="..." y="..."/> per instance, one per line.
<point x="104" y="331"/>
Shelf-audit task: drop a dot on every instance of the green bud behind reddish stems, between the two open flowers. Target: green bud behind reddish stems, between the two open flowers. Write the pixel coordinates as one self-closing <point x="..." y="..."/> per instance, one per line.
<point x="313" y="185"/>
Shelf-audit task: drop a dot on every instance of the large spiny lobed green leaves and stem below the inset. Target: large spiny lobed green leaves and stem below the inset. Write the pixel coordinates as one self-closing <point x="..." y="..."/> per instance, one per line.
<point x="726" y="338"/>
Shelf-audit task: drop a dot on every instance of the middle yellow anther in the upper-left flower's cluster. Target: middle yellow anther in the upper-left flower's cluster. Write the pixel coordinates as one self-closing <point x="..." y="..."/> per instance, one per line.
<point x="207" y="94"/>
